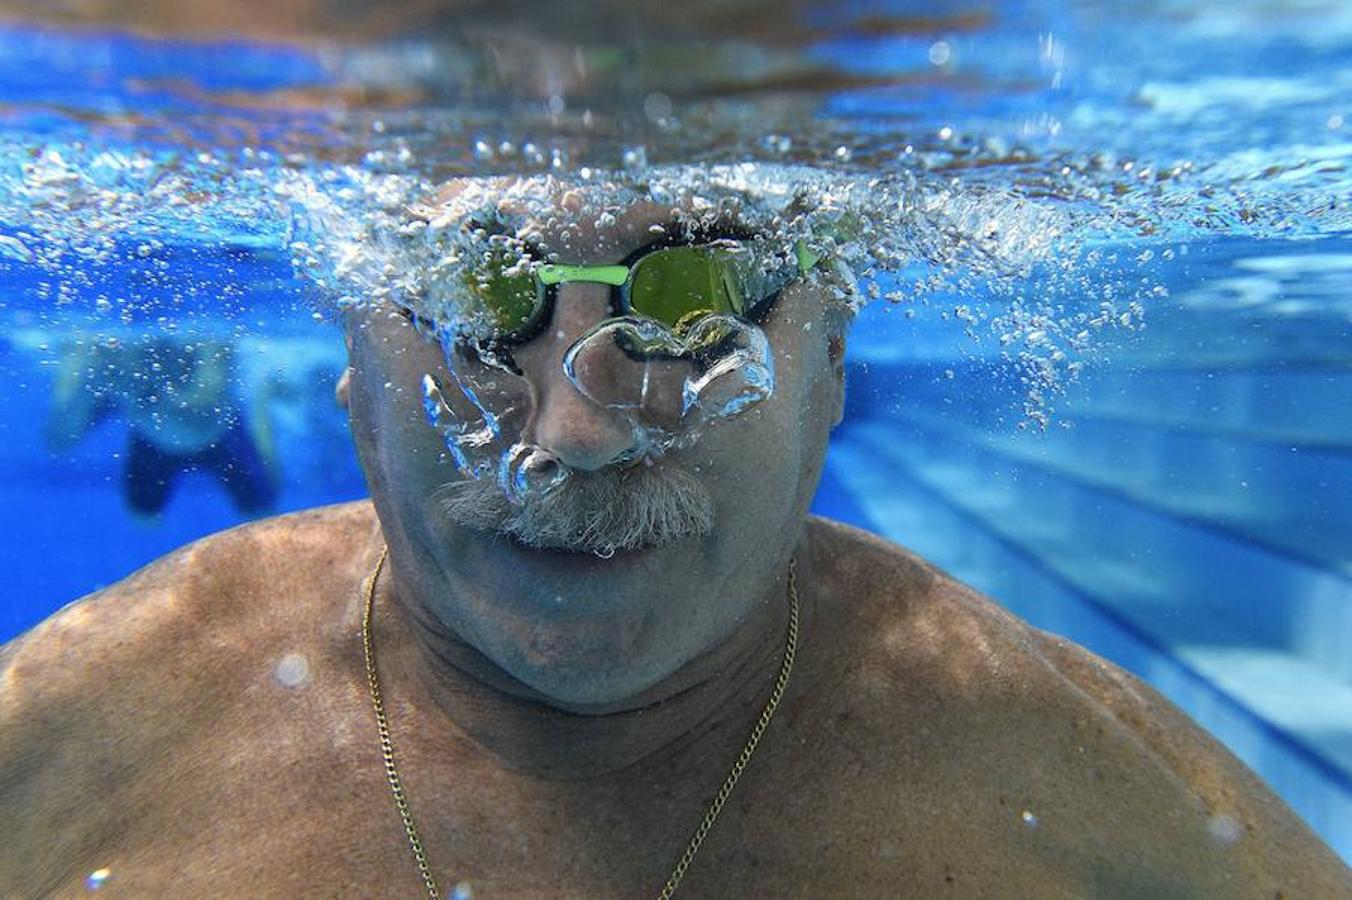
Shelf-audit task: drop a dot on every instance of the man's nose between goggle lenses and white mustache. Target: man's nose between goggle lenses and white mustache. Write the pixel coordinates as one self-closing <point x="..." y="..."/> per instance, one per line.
<point x="567" y="425"/>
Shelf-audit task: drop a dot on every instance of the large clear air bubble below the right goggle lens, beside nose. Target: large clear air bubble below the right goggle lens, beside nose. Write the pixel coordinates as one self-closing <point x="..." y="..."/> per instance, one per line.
<point x="670" y="383"/>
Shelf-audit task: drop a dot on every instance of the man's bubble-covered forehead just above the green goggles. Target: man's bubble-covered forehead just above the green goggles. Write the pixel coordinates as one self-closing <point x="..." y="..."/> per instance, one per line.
<point x="582" y="222"/>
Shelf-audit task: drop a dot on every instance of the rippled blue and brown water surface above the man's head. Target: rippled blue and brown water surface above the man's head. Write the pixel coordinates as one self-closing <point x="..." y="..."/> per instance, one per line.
<point x="1039" y="174"/>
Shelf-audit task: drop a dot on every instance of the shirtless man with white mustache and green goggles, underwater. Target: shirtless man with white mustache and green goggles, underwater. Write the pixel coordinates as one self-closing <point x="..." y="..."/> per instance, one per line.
<point x="583" y="609"/>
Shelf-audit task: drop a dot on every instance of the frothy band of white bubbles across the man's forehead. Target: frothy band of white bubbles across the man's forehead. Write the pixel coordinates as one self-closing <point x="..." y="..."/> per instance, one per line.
<point x="418" y="251"/>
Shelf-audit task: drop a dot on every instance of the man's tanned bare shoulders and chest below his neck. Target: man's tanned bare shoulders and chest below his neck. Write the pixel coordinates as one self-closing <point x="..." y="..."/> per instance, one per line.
<point x="145" y="730"/>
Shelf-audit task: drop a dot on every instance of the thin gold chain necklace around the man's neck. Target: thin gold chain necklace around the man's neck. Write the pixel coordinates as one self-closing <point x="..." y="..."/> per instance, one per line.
<point x="387" y="748"/>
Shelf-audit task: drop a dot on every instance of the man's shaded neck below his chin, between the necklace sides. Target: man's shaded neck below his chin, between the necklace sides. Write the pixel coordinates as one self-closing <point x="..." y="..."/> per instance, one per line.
<point x="459" y="693"/>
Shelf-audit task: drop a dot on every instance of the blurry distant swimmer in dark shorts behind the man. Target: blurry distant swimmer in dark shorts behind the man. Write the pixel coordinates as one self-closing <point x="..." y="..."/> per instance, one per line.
<point x="182" y="417"/>
